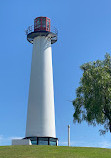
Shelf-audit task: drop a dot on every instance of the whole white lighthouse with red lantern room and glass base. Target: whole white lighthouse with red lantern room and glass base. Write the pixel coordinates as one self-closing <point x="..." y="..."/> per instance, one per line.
<point x="40" y="126"/>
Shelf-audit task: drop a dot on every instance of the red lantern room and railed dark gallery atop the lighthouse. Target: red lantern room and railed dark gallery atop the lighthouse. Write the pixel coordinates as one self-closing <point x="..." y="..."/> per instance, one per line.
<point x="42" y="27"/>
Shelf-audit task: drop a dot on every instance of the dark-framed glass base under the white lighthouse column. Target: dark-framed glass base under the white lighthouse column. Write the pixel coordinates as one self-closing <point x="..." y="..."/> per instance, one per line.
<point x="43" y="140"/>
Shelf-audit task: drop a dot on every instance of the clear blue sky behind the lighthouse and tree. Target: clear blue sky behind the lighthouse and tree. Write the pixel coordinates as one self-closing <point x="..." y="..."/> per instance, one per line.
<point x="84" y="35"/>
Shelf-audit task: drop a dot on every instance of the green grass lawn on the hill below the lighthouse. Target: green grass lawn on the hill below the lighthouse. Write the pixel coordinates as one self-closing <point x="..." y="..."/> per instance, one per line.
<point x="52" y="152"/>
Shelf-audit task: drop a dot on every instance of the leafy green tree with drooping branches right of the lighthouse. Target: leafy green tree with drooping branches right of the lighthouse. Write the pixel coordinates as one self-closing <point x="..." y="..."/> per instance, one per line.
<point x="93" y="96"/>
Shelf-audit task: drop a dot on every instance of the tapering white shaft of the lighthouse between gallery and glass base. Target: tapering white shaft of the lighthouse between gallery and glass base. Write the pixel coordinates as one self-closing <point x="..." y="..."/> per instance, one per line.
<point x="41" y="113"/>
